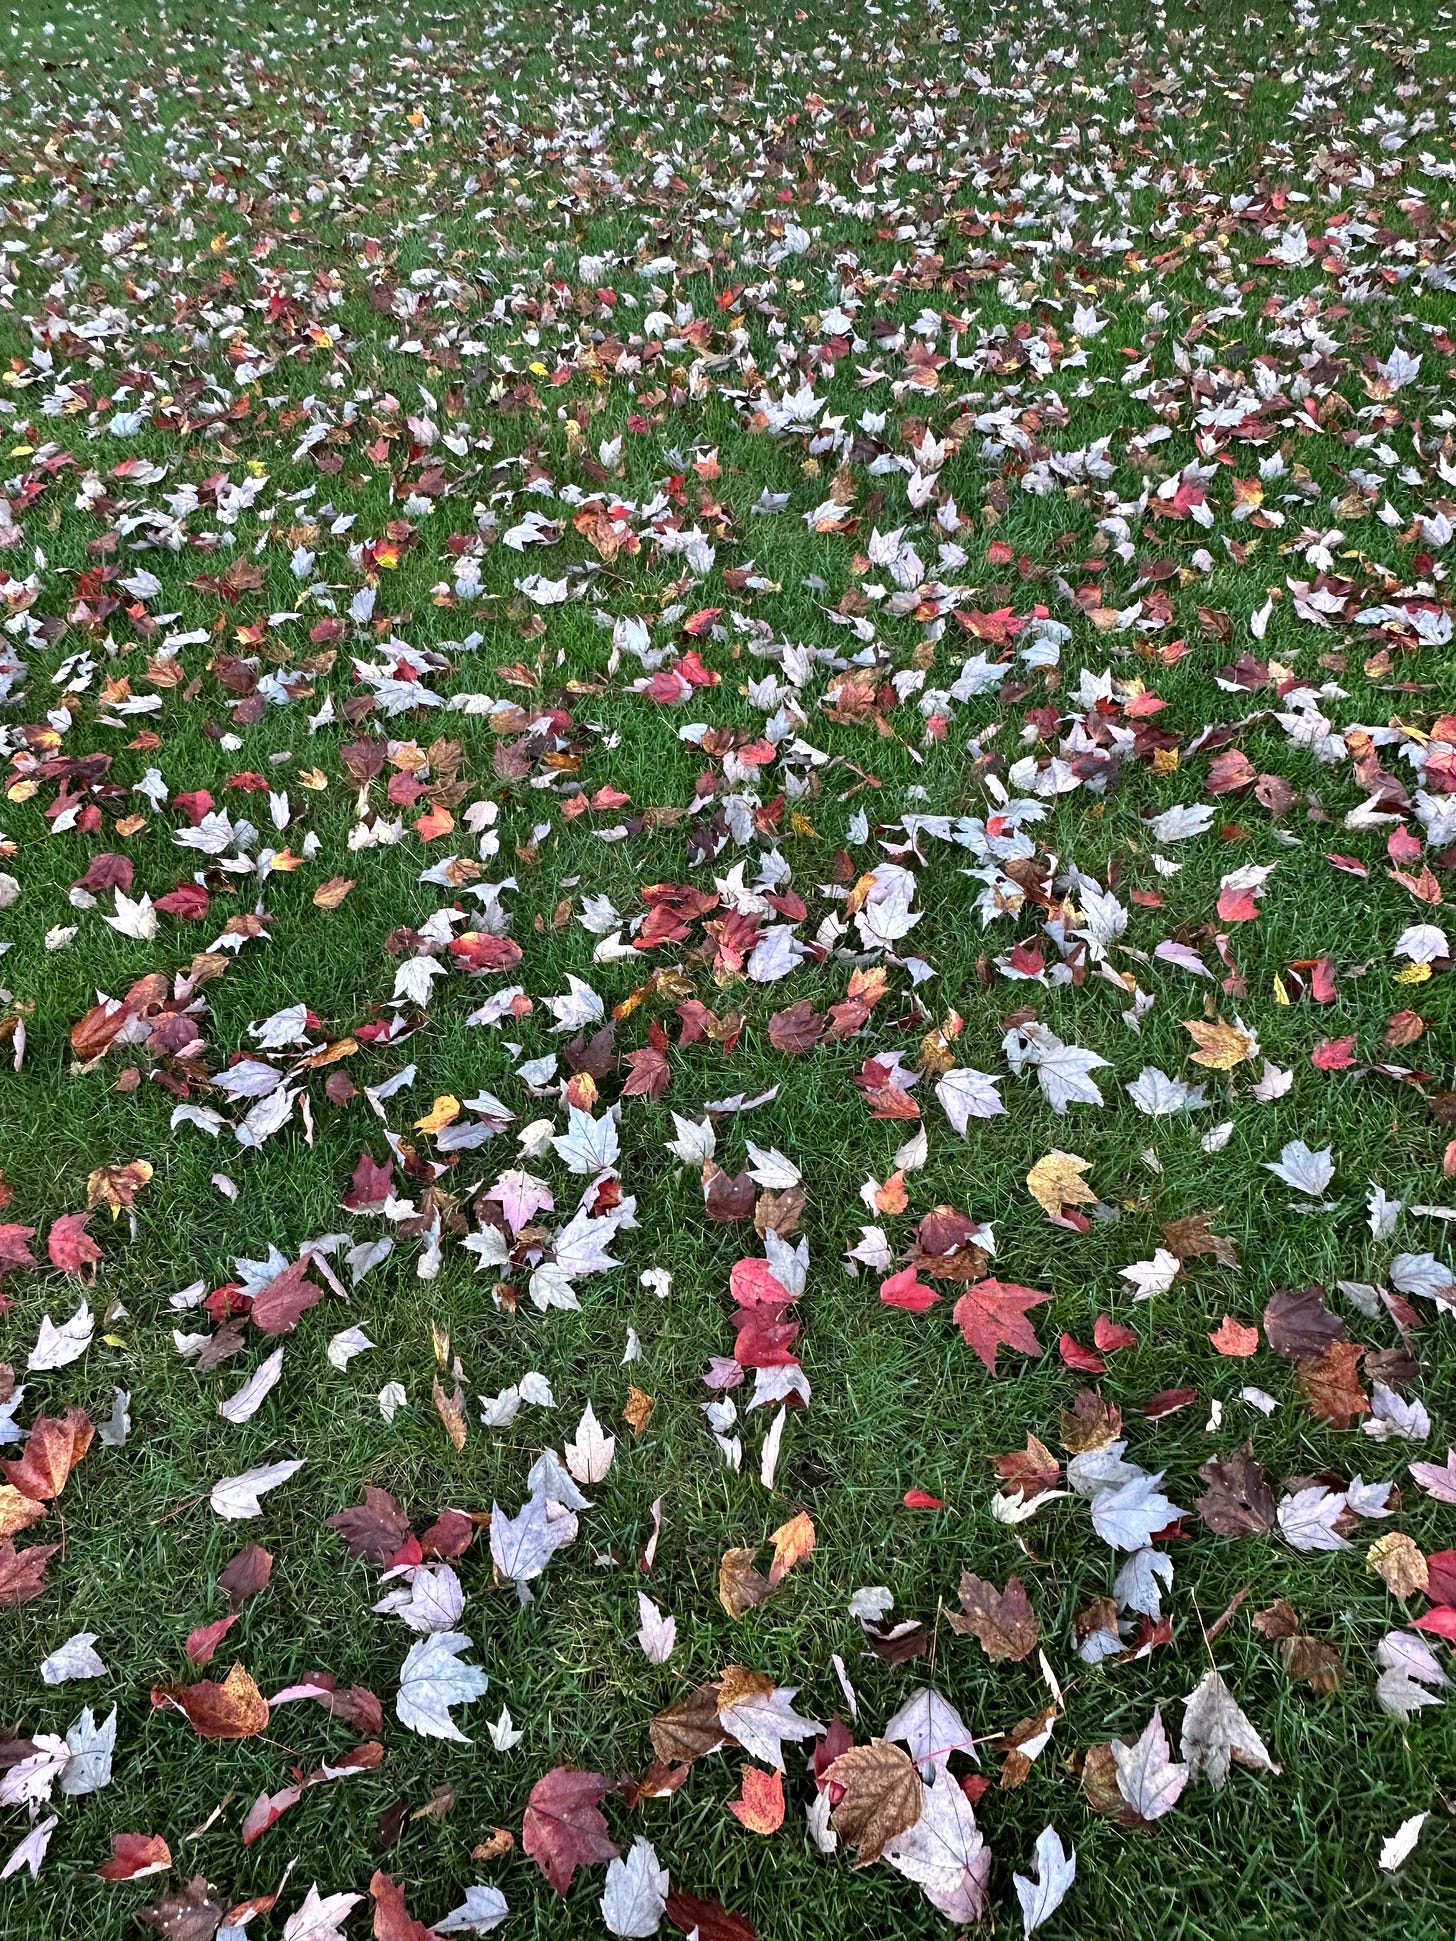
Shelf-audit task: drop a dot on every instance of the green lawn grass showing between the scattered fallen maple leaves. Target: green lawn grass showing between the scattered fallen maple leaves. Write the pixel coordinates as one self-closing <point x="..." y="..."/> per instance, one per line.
<point x="129" y="115"/>
